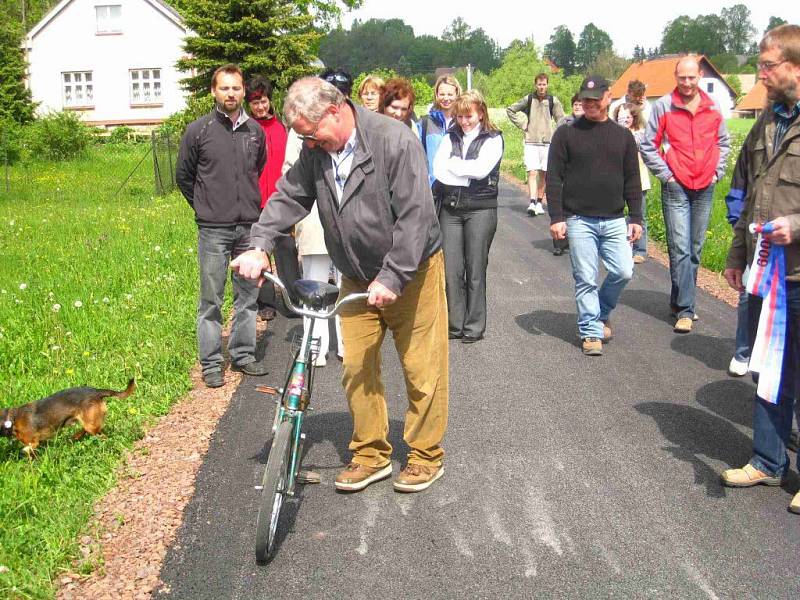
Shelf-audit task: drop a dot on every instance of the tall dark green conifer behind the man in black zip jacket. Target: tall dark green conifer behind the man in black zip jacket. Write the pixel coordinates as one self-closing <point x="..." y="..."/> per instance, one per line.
<point x="277" y="38"/>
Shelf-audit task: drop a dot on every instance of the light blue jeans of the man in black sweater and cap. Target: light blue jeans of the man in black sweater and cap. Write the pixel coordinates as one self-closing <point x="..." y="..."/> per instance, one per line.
<point x="591" y="238"/>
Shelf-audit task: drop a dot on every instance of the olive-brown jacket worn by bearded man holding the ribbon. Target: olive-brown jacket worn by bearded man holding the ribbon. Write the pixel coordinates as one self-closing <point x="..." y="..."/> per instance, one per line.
<point x="773" y="190"/>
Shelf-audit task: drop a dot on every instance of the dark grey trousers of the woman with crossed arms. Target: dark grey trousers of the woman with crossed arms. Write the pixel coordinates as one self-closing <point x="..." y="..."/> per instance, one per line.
<point x="467" y="236"/>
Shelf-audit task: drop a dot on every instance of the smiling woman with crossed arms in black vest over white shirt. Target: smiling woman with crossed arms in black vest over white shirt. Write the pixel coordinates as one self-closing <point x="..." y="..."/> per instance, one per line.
<point x="467" y="171"/>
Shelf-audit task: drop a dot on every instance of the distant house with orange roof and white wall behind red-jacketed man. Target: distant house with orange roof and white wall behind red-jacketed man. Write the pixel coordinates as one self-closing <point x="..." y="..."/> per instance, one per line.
<point x="658" y="75"/>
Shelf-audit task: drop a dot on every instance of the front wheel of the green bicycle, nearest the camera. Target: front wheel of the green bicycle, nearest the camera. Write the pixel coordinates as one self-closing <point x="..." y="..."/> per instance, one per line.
<point x="272" y="492"/>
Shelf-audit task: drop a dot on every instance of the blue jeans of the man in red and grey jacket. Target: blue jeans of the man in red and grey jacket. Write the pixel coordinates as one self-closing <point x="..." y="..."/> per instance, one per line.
<point x="686" y="214"/>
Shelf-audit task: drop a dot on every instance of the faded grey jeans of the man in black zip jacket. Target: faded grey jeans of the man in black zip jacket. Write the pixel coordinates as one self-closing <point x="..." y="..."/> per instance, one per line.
<point x="215" y="248"/>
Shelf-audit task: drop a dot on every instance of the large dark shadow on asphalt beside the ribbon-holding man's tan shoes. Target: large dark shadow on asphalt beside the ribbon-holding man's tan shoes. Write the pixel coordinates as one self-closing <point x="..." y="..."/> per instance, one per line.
<point x="696" y="435"/>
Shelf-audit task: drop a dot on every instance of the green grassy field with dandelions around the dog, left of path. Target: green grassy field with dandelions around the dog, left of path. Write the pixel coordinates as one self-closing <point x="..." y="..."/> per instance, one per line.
<point x="95" y="288"/>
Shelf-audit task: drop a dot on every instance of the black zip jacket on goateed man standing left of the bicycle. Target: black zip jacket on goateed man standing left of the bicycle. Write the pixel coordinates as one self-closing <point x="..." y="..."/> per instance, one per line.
<point x="218" y="170"/>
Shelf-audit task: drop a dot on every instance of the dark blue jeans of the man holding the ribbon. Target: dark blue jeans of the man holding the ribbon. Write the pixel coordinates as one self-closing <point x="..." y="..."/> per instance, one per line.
<point x="772" y="423"/>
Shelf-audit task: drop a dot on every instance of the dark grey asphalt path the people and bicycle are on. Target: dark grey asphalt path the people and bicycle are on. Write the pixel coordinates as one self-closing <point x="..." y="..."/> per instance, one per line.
<point x="565" y="476"/>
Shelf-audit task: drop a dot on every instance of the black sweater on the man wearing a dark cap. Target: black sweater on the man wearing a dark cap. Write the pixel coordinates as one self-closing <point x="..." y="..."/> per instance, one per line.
<point x="593" y="171"/>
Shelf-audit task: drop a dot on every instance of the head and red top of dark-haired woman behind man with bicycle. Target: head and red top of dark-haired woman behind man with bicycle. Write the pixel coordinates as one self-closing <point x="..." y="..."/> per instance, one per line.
<point x="259" y="99"/>
